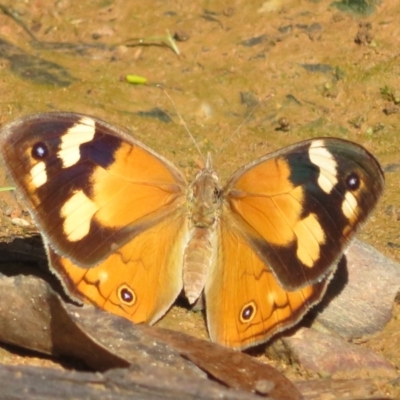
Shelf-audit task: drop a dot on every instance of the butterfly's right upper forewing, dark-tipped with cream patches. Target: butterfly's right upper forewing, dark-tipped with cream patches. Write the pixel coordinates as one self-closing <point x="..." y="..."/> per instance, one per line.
<point x="299" y="207"/>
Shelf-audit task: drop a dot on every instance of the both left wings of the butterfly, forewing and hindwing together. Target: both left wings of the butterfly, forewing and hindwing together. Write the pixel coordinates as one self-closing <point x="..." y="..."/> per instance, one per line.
<point x="107" y="208"/>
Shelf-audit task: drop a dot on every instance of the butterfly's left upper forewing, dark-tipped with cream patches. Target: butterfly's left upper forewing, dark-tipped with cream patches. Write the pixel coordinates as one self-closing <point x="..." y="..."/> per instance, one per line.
<point x="90" y="187"/>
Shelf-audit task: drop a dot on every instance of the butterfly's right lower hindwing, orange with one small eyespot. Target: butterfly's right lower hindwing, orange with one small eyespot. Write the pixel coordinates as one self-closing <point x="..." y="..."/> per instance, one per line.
<point x="245" y="303"/>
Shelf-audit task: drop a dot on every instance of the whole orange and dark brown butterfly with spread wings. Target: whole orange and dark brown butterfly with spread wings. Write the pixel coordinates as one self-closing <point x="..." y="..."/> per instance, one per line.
<point x="124" y="231"/>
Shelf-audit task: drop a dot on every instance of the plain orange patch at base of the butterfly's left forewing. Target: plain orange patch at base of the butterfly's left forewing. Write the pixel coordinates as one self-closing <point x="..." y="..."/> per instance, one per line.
<point x="132" y="187"/>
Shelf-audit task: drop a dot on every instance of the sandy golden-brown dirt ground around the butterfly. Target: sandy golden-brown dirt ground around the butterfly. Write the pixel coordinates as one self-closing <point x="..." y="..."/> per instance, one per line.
<point x="331" y="73"/>
